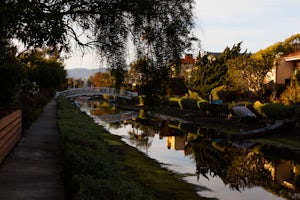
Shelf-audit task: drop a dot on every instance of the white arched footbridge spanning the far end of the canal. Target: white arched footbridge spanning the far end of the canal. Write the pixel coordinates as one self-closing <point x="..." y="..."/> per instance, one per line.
<point x="90" y="91"/>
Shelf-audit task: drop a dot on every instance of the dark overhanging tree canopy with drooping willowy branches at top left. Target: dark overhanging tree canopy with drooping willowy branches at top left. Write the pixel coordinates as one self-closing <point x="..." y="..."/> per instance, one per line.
<point x="159" y="28"/>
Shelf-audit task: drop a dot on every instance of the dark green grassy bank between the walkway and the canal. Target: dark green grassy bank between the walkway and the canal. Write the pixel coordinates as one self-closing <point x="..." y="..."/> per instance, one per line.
<point x="98" y="165"/>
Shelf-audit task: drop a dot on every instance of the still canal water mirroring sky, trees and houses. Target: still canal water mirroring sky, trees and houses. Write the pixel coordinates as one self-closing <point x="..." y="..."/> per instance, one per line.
<point x="220" y="167"/>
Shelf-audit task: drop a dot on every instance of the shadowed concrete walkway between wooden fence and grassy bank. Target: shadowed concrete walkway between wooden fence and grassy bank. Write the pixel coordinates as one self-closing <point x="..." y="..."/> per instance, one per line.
<point x="33" y="169"/>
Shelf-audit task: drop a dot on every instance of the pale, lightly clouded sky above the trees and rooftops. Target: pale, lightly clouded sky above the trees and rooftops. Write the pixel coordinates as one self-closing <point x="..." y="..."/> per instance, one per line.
<point x="223" y="23"/>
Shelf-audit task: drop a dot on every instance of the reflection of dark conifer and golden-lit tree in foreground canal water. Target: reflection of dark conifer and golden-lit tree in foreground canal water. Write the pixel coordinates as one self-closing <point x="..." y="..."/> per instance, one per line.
<point x="238" y="168"/>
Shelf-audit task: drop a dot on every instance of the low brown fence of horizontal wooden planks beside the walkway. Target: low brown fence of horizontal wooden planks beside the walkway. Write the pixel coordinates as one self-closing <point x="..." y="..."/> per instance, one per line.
<point x="10" y="132"/>
